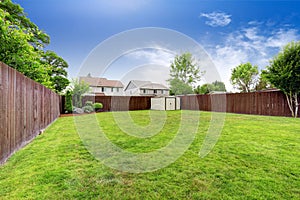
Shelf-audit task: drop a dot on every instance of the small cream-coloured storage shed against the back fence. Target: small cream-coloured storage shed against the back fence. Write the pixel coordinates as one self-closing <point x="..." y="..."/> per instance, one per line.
<point x="165" y="103"/>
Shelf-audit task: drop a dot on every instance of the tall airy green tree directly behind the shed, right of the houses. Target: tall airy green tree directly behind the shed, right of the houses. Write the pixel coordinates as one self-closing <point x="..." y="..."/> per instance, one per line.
<point x="184" y="73"/>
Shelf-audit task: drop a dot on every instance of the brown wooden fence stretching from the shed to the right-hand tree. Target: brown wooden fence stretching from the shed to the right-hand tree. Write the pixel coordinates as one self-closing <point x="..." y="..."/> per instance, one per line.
<point x="271" y="103"/>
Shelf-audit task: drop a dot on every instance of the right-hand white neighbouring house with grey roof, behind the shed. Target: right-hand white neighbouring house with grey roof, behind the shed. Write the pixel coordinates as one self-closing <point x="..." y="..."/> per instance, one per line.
<point x="146" y="88"/>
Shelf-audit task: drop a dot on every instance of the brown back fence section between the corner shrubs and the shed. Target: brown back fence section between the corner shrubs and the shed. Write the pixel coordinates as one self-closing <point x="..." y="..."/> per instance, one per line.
<point x="121" y="103"/>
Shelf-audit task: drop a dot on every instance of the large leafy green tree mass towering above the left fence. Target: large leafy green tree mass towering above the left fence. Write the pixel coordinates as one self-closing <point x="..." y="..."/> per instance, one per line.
<point x="22" y="47"/>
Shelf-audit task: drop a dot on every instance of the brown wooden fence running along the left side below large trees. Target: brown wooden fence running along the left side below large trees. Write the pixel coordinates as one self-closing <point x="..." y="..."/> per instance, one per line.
<point x="26" y="108"/>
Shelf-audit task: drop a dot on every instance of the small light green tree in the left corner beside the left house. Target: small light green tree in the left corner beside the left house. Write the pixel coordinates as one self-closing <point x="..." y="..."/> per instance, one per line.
<point x="77" y="90"/>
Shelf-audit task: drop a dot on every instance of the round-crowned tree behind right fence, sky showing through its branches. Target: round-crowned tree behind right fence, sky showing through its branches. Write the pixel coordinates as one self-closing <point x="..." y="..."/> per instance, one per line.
<point x="244" y="77"/>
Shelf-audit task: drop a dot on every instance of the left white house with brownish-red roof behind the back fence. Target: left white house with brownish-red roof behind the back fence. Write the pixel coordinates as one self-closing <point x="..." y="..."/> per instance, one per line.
<point x="103" y="86"/>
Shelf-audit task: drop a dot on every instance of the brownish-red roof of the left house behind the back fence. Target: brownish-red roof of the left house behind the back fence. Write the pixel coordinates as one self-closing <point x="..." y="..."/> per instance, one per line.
<point x="101" y="82"/>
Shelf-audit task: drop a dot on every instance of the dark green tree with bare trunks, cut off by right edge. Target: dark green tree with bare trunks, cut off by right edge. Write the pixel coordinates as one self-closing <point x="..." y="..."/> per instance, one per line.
<point x="284" y="73"/>
